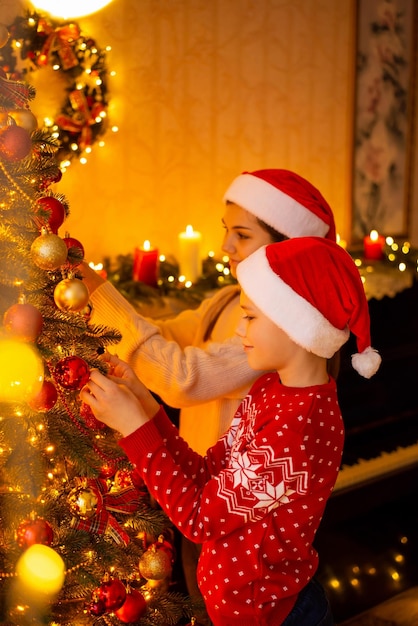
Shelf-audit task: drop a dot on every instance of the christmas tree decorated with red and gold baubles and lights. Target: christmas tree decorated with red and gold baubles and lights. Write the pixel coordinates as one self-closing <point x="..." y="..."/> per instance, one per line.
<point x="81" y="542"/>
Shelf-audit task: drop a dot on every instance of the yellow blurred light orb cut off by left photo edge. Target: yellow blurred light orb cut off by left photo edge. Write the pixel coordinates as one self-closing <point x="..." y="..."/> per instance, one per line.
<point x="21" y="371"/>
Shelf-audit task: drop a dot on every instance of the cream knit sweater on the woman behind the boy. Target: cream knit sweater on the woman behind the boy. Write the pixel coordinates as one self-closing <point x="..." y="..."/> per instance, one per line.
<point x="205" y="377"/>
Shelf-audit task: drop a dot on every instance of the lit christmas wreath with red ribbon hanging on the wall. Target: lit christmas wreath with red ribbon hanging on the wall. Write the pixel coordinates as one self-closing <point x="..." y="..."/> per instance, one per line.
<point x="71" y="68"/>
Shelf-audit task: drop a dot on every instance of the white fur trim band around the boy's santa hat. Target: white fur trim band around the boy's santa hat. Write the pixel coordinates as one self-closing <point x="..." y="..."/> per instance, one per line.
<point x="292" y="313"/>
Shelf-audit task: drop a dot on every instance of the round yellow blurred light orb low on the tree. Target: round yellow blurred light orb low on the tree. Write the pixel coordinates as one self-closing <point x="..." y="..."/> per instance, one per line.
<point x="41" y="570"/>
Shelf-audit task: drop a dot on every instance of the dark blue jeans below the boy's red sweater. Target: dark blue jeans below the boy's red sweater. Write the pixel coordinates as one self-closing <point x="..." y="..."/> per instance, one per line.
<point x="311" y="608"/>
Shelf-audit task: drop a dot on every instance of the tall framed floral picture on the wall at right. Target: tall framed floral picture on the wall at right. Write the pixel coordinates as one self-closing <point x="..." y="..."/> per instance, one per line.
<point x="383" y="116"/>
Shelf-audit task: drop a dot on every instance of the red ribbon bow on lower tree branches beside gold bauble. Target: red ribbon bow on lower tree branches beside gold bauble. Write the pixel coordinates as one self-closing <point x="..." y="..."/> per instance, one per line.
<point x="125" y="501"/>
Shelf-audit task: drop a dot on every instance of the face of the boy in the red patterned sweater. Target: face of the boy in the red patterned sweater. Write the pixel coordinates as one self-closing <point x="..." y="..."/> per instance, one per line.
<point x="266" y="345"/>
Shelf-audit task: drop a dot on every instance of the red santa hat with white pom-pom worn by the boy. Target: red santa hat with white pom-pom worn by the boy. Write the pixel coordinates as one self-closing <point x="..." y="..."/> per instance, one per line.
<point x="311" y="288"/>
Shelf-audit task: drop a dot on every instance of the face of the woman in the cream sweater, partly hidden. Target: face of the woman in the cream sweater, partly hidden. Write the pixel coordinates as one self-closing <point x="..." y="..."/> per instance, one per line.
<point x="243" y="235"/>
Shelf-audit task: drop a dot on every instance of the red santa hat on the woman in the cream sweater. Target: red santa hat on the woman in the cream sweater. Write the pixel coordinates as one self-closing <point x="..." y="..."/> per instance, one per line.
<point x="285" y="201"/>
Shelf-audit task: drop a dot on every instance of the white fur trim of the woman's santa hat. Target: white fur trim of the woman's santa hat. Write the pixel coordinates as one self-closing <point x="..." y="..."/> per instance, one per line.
<point x="274" y="207"/>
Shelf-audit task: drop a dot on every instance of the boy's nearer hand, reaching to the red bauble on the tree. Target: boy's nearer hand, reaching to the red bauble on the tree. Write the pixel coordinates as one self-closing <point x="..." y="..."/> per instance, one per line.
<point x="114" y="404"/>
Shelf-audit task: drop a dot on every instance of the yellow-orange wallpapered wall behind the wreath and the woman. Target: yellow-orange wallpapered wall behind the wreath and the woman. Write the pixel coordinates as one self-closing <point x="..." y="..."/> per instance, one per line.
<point x="203" y="91"/>
